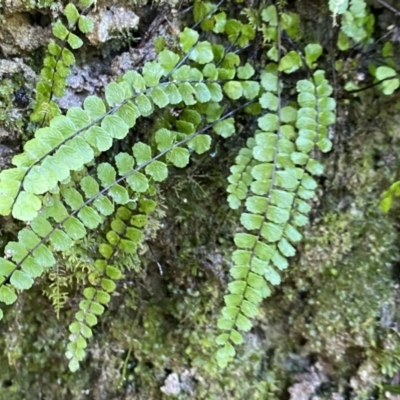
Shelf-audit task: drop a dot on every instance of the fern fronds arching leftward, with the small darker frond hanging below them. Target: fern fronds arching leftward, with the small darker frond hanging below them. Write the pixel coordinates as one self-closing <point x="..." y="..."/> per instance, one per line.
<point x="43" y="191"/>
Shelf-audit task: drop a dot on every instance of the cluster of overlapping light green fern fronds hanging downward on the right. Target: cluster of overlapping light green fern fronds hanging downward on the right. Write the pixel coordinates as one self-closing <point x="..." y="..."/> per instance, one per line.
<point x="273" y="175"/>
